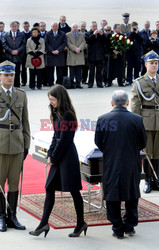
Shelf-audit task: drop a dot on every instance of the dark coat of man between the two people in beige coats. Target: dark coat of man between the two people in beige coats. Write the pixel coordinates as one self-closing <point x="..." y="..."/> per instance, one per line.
<point x="55" y="43"/>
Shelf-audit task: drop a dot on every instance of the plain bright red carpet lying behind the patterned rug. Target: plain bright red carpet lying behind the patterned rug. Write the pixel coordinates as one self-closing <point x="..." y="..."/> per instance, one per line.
<point x="34" y="177"/>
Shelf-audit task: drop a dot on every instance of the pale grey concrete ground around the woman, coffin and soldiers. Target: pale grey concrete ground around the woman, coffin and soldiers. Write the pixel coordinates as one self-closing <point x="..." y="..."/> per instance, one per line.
<point x="89" y="104"/>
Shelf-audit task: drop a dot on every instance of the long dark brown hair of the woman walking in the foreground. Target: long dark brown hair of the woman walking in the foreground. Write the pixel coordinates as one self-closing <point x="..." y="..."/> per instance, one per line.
<point x="64" y="102"/>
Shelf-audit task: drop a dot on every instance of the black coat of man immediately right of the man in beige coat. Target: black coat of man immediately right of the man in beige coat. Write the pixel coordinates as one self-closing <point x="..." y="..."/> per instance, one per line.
<point x="95" y="46"/>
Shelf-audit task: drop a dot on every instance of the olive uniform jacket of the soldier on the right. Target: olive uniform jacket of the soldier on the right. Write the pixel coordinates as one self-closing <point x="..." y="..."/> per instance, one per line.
<point x="150" y="116"/>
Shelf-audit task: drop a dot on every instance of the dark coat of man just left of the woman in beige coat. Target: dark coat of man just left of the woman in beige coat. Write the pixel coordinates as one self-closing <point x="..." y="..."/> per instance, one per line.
<point x="19" y="45"/>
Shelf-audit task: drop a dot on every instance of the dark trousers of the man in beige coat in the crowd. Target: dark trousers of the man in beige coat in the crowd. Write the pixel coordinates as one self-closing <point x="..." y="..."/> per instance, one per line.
<point x="76" y="74"/>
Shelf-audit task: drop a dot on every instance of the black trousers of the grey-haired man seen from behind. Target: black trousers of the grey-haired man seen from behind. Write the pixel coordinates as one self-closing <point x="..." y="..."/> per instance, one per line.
<point x="130" y="218"/>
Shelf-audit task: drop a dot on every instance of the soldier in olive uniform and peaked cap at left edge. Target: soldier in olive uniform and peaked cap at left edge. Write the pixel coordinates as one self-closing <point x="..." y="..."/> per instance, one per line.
<point x="14" y="143"/>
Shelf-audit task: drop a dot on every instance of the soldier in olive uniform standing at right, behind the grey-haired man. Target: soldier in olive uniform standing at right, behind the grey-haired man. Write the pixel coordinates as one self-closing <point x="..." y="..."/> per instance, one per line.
<point x="145" y="102"/>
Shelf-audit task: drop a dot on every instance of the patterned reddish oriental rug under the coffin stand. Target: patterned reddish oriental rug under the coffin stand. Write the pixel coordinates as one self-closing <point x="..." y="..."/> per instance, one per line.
<point x="63" y="214"/>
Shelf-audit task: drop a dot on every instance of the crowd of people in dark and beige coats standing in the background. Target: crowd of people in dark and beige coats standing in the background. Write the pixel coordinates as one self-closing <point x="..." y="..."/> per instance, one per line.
<point x="88" y="55"/>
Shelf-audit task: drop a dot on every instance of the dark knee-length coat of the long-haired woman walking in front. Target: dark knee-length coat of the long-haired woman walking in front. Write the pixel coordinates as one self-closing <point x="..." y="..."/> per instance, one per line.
<point x="64" y="174"/>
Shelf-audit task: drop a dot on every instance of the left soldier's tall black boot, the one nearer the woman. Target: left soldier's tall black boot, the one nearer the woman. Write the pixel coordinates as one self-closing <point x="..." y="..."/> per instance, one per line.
<point x="12" y="221"/>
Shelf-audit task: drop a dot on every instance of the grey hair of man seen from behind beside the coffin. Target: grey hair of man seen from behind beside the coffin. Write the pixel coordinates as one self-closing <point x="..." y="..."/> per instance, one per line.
<point x="119" y="98"/>
